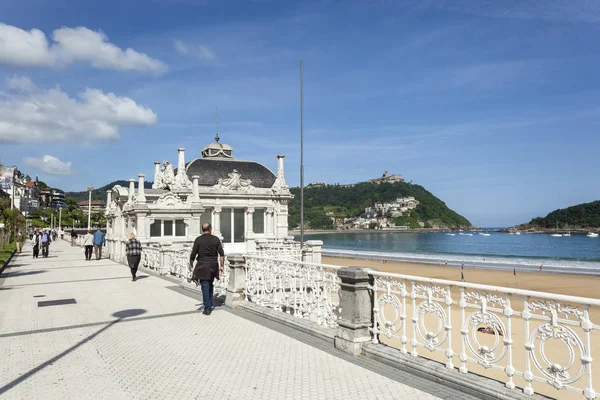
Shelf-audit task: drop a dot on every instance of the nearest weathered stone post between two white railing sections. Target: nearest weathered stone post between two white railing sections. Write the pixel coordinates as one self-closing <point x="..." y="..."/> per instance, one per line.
<point x="353" y="326"/>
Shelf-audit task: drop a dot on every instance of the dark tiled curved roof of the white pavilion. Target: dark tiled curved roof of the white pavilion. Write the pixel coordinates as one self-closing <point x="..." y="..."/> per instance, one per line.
<point x="211" y="169"/>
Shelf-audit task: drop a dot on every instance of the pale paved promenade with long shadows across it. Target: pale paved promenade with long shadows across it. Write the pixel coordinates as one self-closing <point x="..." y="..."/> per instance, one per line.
<point x="141" y="340"/>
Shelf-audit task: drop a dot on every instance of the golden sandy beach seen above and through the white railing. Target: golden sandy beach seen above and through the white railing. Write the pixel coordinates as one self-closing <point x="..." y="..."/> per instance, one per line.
<point x="574" y="285"/>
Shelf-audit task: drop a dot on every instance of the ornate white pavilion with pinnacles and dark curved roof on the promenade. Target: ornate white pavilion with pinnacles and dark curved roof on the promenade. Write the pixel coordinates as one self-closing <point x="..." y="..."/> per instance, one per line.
<point x="243" y="200"/>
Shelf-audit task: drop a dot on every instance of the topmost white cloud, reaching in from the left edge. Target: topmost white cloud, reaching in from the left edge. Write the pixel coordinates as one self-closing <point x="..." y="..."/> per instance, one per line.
<point x="31" y="48"/>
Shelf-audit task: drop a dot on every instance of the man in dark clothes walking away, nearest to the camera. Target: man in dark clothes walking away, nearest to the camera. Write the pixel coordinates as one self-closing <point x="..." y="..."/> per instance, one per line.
<point x="208" y="252"/>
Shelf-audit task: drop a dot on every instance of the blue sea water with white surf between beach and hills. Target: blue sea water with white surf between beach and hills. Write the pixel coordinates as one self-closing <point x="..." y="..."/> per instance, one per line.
<point x="576" y="254"/>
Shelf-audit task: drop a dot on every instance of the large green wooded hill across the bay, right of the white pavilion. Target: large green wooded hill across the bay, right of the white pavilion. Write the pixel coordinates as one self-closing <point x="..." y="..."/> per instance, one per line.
<point x="351" y="201"/>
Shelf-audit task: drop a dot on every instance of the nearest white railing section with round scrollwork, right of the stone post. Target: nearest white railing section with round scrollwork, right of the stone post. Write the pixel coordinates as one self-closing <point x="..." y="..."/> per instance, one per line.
<point x="527" y="336"/>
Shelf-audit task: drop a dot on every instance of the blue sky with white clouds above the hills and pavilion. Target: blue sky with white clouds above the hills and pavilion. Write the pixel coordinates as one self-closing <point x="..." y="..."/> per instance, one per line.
<point x="490" y="105"/>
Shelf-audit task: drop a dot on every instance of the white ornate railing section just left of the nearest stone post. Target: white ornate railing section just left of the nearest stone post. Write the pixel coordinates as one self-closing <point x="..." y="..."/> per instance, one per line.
<point x="305" y="290"/>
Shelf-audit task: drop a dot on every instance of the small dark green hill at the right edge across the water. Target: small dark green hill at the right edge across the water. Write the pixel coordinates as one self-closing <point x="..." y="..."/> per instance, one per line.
<point x="586" y="215"/>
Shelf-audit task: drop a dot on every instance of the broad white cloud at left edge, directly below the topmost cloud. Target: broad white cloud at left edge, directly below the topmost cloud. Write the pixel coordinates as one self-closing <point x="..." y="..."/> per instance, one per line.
<point x="53" y="116"/>
